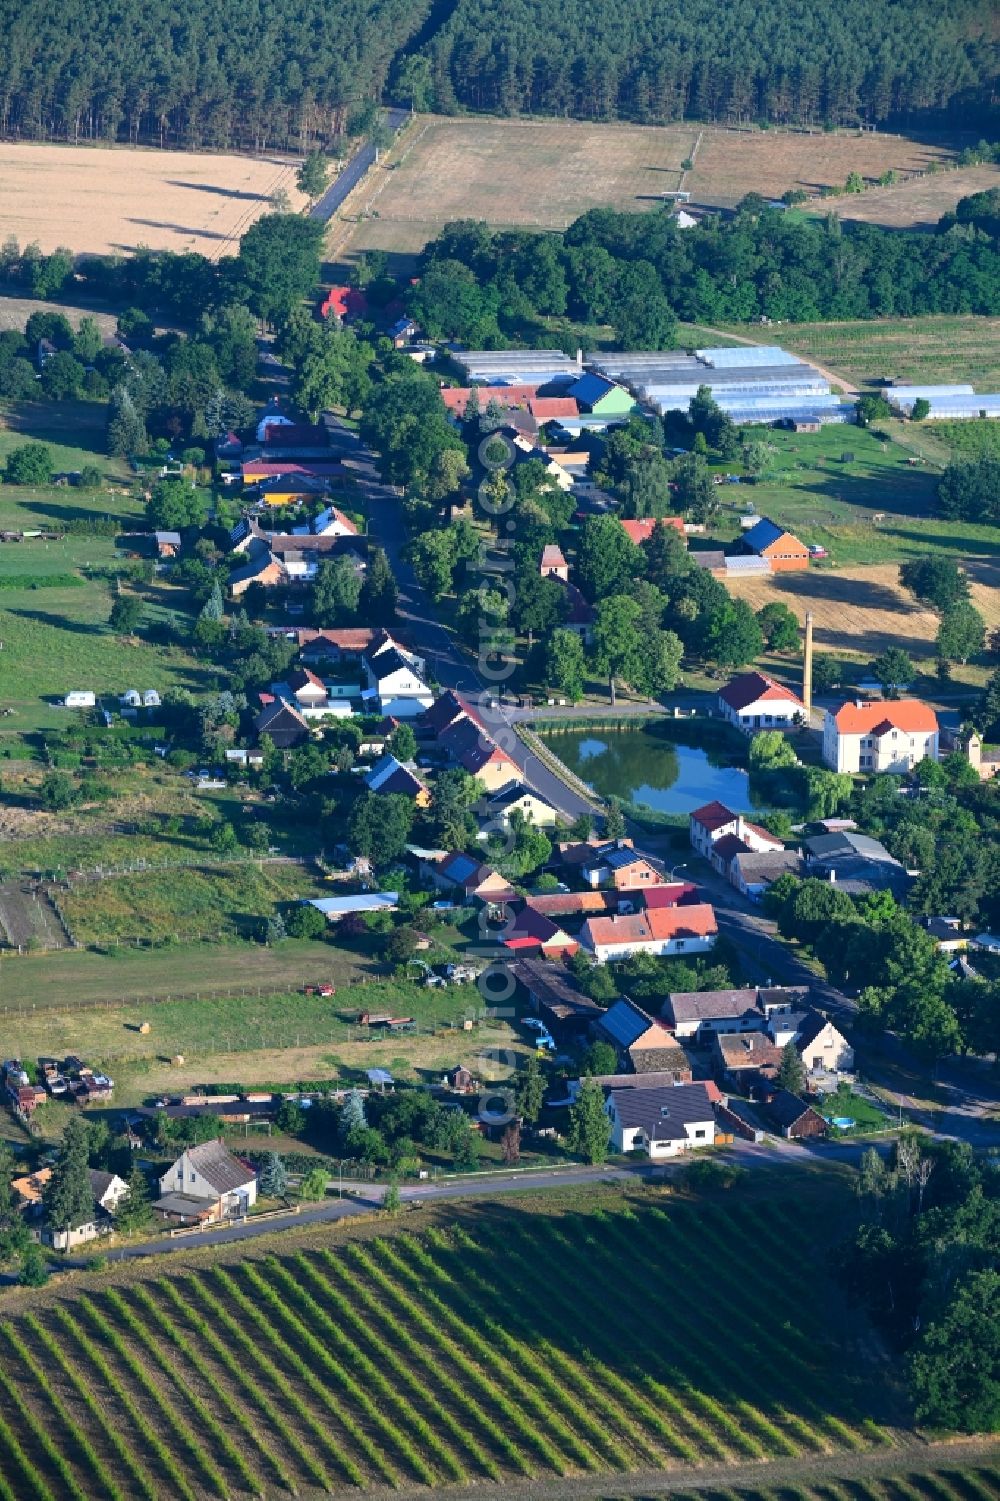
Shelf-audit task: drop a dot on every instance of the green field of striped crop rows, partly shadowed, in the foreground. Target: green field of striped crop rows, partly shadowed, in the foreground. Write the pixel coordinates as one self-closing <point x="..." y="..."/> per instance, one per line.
<point x="615" y="1337"/>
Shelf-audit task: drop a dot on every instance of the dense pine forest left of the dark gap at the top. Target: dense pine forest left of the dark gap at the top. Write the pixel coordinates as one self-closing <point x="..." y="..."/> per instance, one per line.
<point x="223" y="74"/>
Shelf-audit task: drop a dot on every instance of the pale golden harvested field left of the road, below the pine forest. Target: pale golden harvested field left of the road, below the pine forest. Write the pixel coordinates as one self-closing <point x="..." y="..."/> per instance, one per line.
<point x="101" y="200"/>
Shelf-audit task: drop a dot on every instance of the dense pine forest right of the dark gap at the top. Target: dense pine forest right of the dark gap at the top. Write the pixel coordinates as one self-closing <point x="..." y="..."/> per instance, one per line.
<point x="663" y="61"/>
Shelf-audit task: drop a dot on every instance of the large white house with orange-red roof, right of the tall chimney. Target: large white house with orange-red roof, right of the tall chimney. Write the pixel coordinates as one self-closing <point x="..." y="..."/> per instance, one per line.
<point x="882" y="736"/>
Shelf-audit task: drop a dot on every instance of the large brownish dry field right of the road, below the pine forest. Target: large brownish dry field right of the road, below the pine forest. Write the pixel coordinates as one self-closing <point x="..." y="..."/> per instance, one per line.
<point x="544" y="173"/>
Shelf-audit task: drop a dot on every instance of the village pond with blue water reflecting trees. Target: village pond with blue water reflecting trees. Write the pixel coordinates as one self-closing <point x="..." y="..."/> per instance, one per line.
<point x="667" y="766"/>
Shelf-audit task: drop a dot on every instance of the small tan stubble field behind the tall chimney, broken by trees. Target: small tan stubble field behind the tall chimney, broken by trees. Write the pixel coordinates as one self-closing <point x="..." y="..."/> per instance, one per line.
<point x="866" y="610"/>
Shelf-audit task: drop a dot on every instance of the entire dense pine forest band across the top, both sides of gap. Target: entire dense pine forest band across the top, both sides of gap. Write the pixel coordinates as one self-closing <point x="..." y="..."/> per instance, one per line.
<point x="253" y="76"/>
